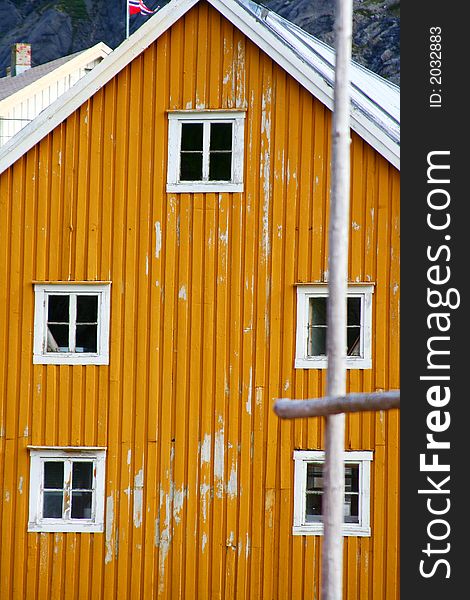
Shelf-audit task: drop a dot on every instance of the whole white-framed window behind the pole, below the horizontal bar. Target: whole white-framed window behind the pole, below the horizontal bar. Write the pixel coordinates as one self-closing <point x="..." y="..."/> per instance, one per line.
<point x="308" y="492"/>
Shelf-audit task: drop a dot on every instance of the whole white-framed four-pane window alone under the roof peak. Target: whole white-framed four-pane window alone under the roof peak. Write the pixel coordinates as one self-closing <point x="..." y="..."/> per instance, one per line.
<point x="205" y="151"/>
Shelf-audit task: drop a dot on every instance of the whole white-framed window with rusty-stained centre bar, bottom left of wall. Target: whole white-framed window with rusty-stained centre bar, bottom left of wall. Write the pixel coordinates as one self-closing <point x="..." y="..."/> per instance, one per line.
<point x="67" y="489"/>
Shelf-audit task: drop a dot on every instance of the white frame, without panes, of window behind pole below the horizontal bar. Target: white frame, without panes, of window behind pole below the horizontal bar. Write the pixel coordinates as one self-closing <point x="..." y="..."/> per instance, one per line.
<point x="301" y="459"/>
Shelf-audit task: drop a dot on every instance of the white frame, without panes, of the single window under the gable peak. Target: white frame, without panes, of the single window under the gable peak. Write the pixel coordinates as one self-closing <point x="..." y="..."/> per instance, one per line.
<point x="175" y="120"/>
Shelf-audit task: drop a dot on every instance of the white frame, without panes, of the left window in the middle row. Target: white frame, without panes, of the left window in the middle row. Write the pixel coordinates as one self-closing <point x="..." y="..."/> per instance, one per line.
<point x="40" y="354"/>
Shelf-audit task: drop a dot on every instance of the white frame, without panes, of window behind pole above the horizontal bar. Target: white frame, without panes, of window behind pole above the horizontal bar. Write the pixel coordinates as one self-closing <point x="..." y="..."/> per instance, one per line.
<point x="302" y="359"/>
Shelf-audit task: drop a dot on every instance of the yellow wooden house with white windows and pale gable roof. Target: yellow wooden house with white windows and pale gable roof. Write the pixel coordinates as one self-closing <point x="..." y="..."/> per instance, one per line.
<point x="163" y="271"/>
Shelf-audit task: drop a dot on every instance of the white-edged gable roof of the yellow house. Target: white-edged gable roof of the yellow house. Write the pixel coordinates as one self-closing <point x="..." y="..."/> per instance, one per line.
<point x="374" y="101"/>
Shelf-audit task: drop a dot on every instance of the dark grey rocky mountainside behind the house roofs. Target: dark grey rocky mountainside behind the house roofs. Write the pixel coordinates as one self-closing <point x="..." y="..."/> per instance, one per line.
<point x="57" y="28"/>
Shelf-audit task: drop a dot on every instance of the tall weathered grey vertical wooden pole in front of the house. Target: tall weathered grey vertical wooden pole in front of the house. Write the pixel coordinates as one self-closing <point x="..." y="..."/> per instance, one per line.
<point x="332" y="554"/>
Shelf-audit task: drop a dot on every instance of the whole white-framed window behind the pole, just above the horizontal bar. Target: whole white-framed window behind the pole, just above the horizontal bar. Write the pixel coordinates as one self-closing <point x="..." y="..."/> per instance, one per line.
<point x="312" y="327"/>
